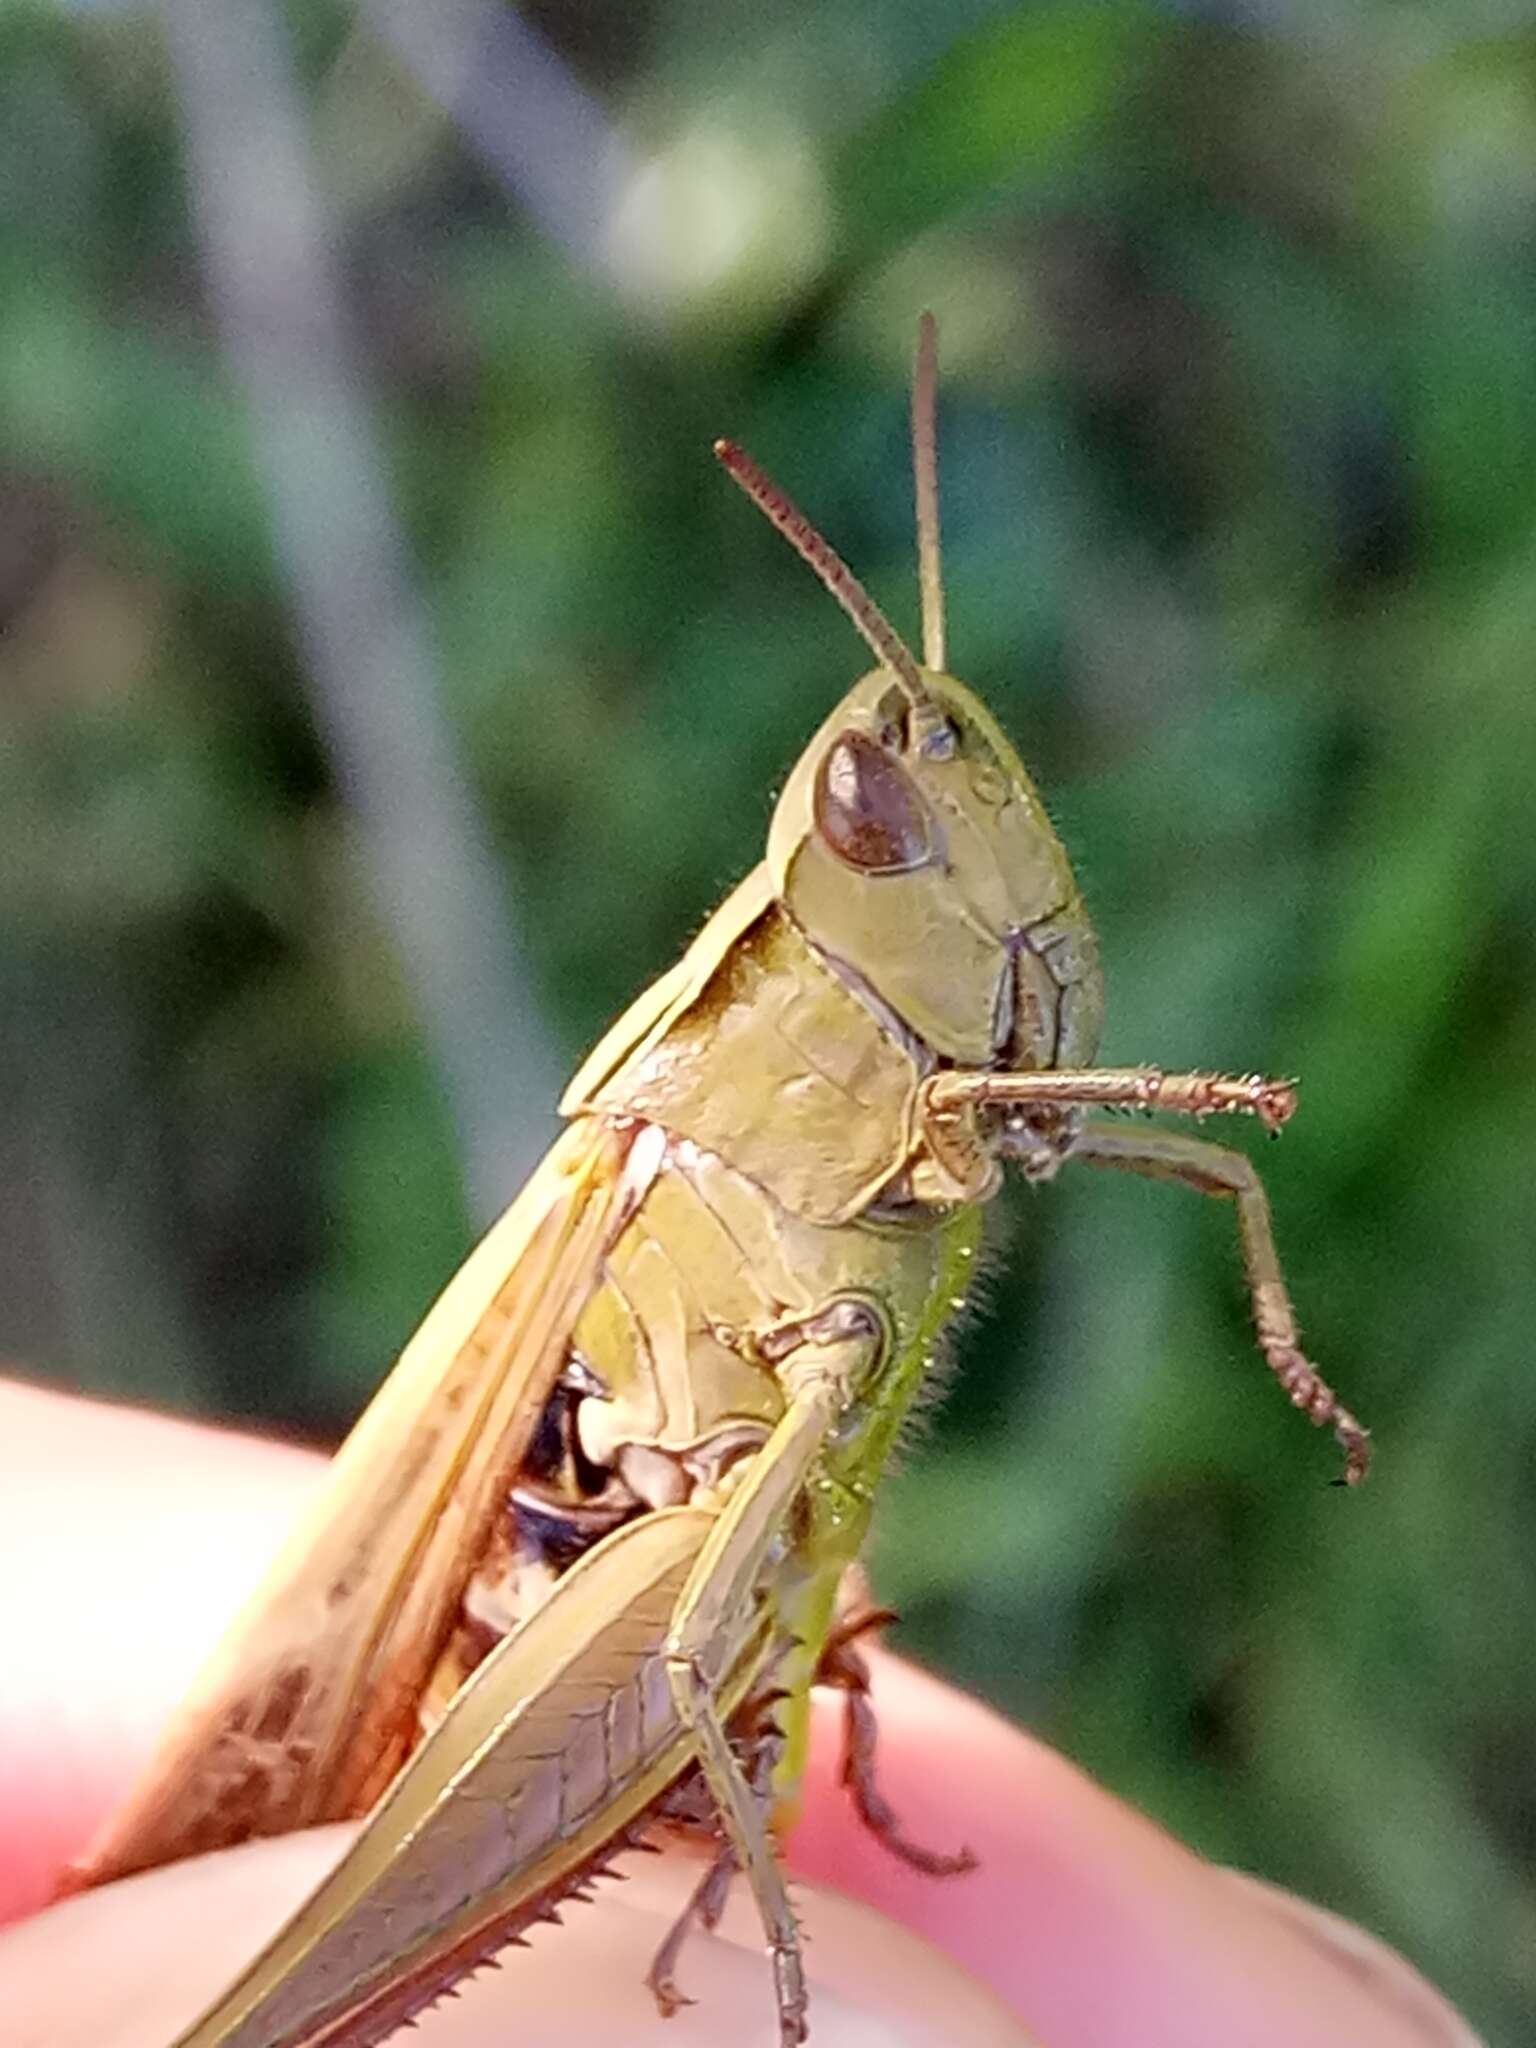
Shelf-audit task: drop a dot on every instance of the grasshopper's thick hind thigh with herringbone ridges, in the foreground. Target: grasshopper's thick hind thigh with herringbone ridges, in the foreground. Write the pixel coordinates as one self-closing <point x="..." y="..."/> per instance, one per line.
<point x="558" y="1746"/>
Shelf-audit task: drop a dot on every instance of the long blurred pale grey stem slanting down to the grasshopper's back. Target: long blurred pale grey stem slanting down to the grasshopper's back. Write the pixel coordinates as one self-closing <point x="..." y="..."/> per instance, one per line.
<point x="368" y="646"/>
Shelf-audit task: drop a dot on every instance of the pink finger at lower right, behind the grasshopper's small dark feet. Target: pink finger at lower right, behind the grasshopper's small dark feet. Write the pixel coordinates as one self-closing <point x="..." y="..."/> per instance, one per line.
<point x="1091" y="1920"/>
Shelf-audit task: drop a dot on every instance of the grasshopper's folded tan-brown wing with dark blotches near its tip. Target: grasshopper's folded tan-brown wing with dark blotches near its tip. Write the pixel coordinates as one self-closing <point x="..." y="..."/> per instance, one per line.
<point x="308" y="1709"/>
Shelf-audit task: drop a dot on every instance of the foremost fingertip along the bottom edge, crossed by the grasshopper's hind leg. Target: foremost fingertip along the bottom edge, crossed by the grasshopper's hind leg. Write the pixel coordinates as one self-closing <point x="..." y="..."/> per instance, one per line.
<point x="132" y="1965"/>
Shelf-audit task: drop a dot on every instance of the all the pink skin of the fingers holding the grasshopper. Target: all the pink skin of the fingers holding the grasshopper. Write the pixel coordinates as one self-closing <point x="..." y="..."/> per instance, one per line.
<point x="126" y="1541"/>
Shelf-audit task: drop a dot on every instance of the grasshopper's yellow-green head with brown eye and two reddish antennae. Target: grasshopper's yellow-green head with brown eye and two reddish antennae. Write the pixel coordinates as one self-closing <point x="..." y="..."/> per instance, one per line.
<point x="912" y="845"/>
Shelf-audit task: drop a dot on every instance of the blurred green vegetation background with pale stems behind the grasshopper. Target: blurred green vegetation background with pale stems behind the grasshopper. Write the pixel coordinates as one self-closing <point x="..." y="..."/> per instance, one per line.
<point x="390" y="685"/>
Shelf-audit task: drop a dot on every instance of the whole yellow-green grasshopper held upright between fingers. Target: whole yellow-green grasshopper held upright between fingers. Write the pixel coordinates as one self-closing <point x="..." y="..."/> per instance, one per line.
<point x="581" y="1564"/>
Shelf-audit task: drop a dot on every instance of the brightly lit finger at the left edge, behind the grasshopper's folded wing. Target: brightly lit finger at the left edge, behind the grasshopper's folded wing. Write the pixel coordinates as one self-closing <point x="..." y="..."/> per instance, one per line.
<point x="130" y="1541"/>
